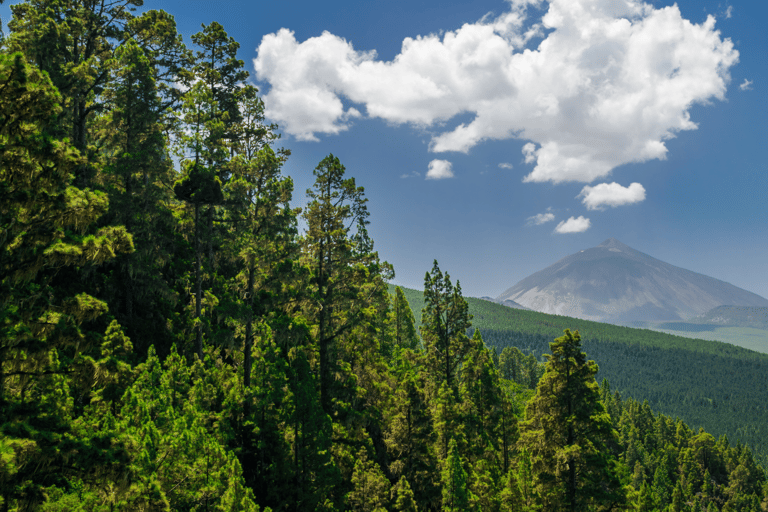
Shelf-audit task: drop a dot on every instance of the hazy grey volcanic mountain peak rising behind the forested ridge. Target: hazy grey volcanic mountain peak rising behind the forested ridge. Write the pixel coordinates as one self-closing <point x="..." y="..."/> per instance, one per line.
<point x="616" y="284"/>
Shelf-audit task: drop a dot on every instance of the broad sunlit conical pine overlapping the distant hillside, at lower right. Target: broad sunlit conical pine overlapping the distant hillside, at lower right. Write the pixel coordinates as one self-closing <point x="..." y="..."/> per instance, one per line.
<point x="569" y="434"/>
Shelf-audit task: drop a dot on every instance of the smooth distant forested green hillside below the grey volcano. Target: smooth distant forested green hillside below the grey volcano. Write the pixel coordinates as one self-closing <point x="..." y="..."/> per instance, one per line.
<point x="706" y="383"/>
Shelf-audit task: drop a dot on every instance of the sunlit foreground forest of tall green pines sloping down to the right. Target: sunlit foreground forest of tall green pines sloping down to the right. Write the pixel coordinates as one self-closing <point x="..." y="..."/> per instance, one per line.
<point x="170" y="340"/>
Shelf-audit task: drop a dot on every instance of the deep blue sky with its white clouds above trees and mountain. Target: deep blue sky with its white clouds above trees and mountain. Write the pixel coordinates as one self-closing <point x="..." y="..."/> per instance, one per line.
<point x="548" y="126"/>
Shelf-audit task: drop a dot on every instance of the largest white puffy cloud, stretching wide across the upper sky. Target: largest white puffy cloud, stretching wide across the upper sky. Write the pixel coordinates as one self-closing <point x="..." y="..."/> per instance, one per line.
<point x="609" y="83"/>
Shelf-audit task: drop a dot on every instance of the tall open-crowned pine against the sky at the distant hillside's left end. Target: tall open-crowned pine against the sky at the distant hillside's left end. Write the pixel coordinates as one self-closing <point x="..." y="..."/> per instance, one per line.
<point x="347" y="282"/>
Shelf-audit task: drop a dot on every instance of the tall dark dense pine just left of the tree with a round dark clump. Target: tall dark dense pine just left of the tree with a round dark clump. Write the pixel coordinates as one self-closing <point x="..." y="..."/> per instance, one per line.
<point x="137" y="175"/>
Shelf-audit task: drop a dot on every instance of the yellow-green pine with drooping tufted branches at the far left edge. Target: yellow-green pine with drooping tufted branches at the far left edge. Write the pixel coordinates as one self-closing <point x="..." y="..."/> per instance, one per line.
<point x="45" y="357"/>
